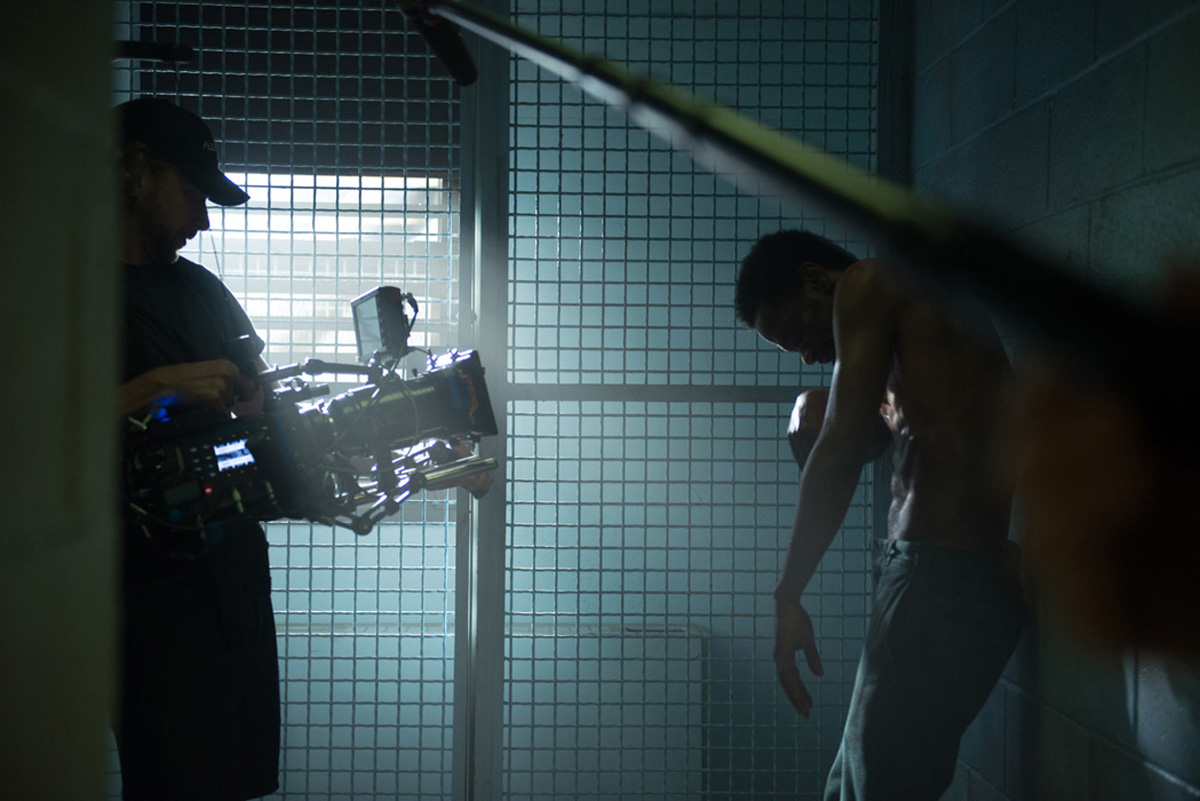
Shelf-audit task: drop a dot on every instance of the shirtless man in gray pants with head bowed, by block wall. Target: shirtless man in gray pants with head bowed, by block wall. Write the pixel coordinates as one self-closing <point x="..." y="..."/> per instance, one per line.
<point x="946" y="619"/>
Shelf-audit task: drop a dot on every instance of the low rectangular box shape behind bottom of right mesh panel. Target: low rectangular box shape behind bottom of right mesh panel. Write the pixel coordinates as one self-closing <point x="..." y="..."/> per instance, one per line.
<point x="623" y="718"/>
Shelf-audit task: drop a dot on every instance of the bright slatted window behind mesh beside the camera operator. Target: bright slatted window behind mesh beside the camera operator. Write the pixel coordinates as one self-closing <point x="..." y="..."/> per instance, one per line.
<point x="307" y="245"/>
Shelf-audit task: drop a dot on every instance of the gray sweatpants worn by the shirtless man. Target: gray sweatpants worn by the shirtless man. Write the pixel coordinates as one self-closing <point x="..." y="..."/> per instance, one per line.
<point x="944" y="625"/>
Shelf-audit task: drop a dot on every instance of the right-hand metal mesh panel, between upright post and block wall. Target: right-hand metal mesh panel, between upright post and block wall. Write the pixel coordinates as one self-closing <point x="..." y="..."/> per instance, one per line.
<point x="650" y="498"/>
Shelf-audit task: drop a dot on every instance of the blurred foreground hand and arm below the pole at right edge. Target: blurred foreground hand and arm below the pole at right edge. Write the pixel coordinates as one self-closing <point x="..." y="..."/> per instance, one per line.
<point x="1113" y="523"/>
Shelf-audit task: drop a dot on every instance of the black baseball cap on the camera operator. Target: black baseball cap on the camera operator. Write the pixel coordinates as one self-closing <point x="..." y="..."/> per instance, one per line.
<point x="176" y="136"/>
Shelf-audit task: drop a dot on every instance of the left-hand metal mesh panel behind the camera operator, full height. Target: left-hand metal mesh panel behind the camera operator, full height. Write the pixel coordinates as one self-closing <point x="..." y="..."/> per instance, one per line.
<point x="347" y="141"/>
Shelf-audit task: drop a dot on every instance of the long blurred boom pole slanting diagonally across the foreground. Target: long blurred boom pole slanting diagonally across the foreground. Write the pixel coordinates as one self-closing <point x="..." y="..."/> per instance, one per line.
<point x="1108" y="336"/>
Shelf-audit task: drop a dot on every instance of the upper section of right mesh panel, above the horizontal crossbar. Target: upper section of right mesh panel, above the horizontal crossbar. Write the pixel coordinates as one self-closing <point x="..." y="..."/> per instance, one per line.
<point x="623" y="251"/>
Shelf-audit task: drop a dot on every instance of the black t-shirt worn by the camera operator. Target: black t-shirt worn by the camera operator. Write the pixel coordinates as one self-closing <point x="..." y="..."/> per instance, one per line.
<point x="177" y="314"/>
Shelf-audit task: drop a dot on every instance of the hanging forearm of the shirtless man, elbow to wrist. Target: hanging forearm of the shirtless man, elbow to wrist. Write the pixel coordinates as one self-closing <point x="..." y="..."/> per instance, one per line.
<point x="826" y="492"/>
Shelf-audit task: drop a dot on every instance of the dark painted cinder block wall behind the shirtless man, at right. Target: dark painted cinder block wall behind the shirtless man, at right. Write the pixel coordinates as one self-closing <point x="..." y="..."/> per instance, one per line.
<point x="1076" y="125"/>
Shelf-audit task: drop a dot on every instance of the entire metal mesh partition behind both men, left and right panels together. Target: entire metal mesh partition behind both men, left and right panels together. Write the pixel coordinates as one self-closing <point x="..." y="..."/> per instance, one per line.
<point x="649" y="486"/>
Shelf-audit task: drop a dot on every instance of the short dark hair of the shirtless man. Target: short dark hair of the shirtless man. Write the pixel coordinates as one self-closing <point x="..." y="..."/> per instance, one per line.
<point x="770" y="269"/>
